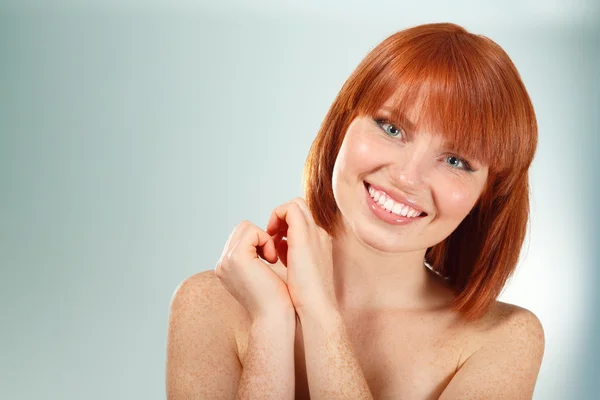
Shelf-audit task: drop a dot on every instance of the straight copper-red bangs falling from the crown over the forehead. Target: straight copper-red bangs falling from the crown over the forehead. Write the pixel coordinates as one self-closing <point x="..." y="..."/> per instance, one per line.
<point x="458" y="90"/>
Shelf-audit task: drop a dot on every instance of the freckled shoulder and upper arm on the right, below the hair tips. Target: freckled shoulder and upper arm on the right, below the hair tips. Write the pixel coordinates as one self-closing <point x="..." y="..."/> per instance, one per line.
<point x="507" y="366"/>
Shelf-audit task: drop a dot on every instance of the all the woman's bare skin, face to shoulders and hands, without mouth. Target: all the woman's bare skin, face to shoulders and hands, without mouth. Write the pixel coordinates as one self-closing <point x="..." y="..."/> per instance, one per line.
<point x="362" y="317"/>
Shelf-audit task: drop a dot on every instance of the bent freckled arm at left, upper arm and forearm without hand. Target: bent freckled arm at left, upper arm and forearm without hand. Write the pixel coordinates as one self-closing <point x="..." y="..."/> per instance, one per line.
<point x="202" y="359"/>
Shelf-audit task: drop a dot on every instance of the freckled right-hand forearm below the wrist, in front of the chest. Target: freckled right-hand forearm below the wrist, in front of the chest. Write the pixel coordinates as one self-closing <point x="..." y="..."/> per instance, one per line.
<point x="332" y="368"/>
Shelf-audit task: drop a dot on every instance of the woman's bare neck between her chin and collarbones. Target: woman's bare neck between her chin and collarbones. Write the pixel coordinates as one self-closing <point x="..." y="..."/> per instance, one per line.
<point x="367" y="279"/>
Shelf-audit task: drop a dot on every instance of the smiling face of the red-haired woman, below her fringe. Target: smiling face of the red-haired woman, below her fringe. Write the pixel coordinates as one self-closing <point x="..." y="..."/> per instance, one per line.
<point x="385" y="174"/>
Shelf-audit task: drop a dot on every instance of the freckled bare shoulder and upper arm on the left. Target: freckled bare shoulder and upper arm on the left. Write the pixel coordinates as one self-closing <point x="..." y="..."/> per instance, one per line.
<point x="202" y="352"/>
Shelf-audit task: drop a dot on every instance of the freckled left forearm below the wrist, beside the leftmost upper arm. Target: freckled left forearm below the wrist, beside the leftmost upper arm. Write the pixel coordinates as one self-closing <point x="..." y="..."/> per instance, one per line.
<point x="268" y="367"/>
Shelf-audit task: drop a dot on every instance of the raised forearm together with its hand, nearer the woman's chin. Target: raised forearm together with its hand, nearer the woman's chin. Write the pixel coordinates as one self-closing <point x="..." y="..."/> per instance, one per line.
<point x="333" y="372"/>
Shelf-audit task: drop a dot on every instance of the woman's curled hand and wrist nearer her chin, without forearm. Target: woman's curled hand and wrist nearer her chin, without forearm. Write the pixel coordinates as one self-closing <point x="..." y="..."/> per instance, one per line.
<point x="307" y="255"/>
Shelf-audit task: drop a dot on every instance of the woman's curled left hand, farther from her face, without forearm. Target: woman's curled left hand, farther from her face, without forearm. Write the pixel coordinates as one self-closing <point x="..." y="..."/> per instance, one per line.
<point x="257" y="285"/>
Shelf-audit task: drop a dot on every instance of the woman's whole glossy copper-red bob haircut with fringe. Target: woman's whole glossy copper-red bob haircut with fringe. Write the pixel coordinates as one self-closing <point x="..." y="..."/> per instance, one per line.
<point x="471" y="93"/>
